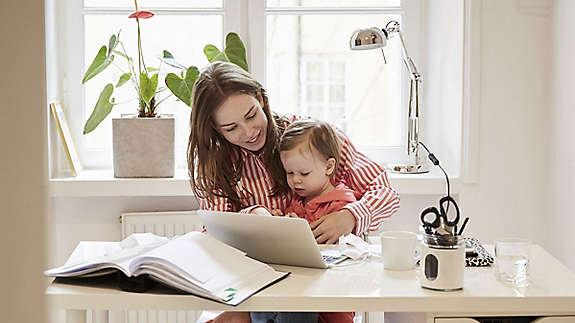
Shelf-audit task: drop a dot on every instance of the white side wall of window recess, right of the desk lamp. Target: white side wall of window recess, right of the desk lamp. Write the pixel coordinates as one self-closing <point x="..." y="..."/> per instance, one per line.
<point x="442" y="38"/>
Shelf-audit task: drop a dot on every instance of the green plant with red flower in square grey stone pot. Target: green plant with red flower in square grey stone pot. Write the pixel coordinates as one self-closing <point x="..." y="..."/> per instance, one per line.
<point x="143" y="144"/>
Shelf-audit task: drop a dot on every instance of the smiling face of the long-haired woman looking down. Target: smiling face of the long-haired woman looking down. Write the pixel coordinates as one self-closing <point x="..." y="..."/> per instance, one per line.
<point x="241" y="120"/>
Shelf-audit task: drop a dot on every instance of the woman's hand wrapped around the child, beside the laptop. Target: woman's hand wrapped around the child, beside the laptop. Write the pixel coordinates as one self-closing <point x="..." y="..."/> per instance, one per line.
<point x="330" y="227"/>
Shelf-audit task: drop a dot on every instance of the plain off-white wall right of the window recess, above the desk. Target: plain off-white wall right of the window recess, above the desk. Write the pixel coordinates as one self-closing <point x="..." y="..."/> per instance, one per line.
<point x="509" y="199"/>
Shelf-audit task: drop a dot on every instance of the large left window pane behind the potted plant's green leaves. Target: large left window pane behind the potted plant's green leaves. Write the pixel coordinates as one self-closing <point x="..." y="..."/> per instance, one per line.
<point x="183" y="35"/>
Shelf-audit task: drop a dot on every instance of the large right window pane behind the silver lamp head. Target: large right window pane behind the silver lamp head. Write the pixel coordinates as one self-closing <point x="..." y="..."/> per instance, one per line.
<point x="309" y="54"/>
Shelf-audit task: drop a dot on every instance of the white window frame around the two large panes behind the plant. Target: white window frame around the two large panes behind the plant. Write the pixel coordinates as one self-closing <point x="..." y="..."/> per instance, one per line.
<point x="246" y="17"/>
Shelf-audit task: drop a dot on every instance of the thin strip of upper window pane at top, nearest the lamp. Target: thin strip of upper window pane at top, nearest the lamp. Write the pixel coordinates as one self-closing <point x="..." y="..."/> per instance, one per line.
<point x="334" y="3"/>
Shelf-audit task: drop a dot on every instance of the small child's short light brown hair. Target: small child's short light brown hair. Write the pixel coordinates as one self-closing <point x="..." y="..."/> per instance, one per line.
<point x="319" y="136"/>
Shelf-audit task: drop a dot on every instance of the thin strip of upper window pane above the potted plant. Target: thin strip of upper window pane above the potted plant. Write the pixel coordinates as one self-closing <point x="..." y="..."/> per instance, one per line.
<point x="142" y="4"/>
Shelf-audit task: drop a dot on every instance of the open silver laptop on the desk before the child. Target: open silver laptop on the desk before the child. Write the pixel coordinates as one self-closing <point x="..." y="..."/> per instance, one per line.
<point x="270" y="239"/>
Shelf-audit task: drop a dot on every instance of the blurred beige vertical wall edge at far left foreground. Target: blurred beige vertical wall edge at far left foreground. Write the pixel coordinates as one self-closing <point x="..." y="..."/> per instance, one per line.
<point x="23" y="170"/>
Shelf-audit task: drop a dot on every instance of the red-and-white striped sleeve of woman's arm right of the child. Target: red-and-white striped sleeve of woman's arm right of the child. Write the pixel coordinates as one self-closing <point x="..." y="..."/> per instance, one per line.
<point x="378" y="200"/>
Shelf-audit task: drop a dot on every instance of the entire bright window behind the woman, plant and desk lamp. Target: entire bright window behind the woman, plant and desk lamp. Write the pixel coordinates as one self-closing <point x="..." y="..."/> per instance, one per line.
<point x="297" y="48"/>
